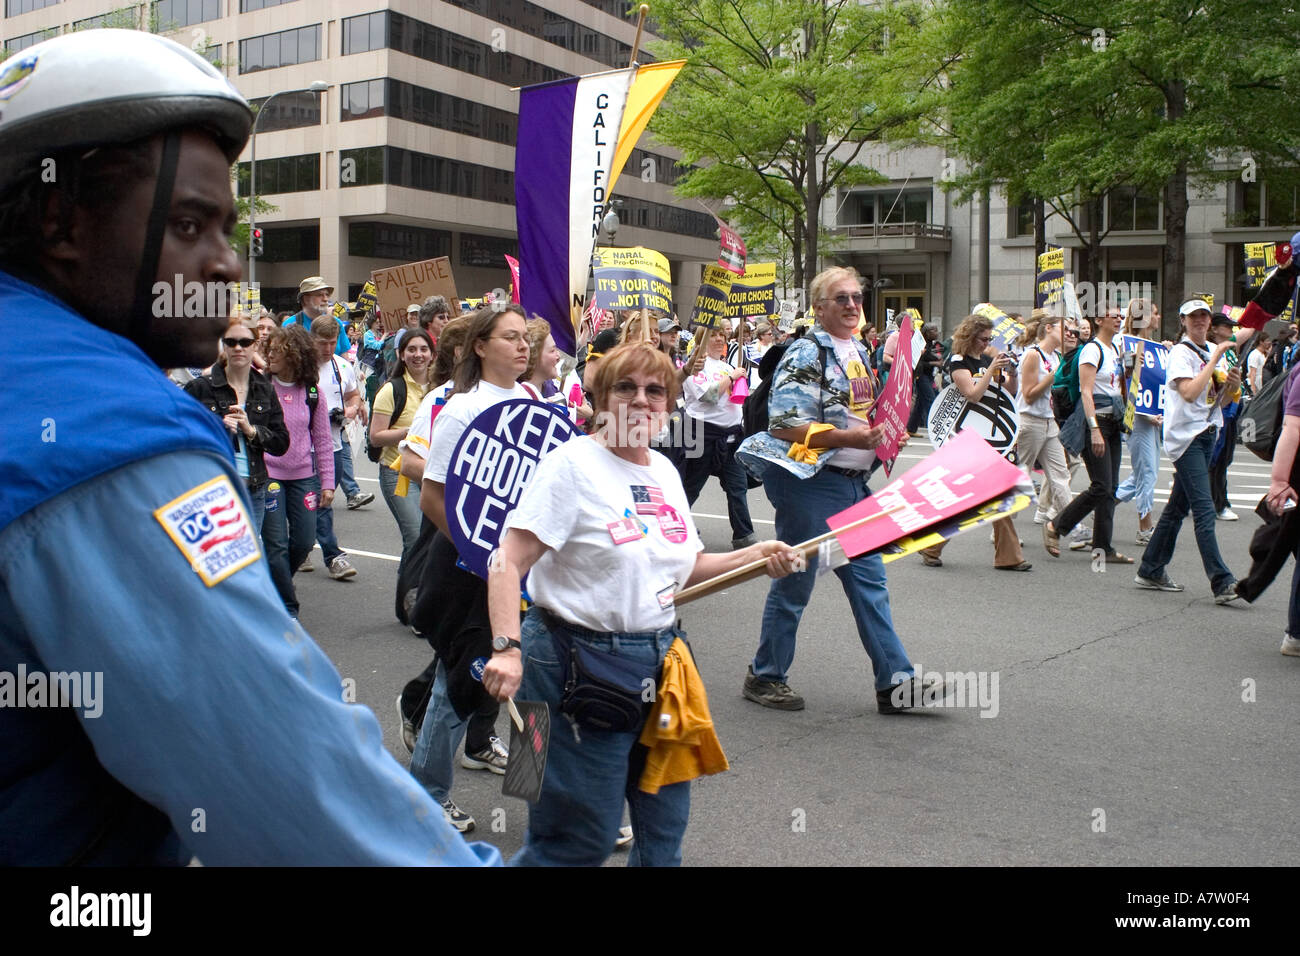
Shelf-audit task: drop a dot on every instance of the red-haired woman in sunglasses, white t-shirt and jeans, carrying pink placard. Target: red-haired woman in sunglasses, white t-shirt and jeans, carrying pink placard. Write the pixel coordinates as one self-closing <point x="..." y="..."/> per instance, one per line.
<point x="606" y="539"/>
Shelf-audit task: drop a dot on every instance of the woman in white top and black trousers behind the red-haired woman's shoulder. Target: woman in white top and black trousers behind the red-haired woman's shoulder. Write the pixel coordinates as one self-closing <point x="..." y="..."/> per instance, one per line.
<point x="717" y="419"/>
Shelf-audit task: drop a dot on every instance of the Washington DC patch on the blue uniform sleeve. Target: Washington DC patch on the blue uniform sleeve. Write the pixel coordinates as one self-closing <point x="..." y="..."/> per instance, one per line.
<point x="211" y="527"/>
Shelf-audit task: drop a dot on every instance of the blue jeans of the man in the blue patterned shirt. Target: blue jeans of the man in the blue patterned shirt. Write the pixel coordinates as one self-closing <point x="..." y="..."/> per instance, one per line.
<point x="803" y="508"/>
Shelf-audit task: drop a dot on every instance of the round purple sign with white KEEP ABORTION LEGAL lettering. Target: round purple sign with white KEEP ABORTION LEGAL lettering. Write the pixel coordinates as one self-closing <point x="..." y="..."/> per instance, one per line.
<point x="493" y="461"/>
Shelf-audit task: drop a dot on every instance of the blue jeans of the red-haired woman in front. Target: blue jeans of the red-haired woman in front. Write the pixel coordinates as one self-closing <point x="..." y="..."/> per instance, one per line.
<point x="590" y="773"/>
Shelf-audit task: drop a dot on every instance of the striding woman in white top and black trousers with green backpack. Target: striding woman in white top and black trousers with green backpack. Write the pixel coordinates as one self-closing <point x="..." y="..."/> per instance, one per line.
<point x="1102" y="375"/>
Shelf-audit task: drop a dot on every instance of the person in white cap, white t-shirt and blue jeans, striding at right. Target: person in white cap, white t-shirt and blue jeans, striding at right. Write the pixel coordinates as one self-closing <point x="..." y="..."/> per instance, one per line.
<point x="1195" y="395"/>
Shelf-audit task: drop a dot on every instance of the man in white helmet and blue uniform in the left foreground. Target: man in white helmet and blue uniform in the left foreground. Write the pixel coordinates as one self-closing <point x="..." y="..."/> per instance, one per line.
<point x="202" y="720"/>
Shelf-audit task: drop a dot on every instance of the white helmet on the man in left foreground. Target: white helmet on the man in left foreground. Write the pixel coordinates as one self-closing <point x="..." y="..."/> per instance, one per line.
<point x="97" y="88"/>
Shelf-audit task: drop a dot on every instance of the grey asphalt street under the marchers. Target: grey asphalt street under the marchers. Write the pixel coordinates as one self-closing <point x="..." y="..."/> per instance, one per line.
<point x="1116" y="726"/>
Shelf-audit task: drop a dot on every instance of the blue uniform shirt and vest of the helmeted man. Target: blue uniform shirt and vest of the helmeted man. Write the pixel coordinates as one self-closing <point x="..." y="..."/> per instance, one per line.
<point x="205" y="721"/>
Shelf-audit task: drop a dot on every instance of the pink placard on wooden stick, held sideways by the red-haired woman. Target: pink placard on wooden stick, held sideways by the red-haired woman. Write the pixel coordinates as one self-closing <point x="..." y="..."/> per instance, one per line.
<point x="964" y="474"/>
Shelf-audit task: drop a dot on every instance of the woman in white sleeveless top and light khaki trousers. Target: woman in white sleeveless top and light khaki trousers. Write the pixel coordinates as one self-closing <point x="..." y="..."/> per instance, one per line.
<point x="1039" y="440"/>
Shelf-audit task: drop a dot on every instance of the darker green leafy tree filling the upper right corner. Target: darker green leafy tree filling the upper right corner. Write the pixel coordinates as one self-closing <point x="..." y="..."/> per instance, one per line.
<point x="1071" y="100"/>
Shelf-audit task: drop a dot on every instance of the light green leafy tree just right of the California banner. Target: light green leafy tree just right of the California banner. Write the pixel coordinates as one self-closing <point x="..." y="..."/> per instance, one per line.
<point x="778" y="101"/>
